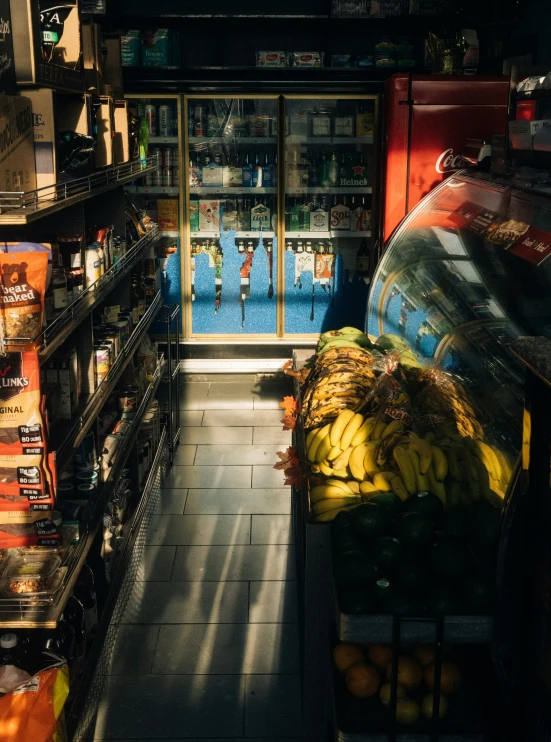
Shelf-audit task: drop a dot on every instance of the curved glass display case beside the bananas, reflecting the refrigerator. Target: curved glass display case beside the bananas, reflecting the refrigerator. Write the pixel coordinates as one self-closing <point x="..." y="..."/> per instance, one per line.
<point x="464" y="275"/>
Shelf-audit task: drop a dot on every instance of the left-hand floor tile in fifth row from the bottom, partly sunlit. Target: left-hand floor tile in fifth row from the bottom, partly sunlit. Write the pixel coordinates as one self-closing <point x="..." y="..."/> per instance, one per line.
<point x="199" y="529"/>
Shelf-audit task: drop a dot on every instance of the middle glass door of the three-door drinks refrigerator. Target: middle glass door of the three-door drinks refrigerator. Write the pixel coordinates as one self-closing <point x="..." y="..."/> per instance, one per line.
<point x="231" y="162"/>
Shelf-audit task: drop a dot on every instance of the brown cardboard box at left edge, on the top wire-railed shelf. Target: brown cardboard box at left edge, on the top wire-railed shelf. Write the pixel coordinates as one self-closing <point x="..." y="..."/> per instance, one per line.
<point x="17" y="171"/>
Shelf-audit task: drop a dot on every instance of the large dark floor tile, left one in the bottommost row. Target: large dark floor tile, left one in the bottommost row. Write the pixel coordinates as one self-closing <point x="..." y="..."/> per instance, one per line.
<point x="203" y="706"/>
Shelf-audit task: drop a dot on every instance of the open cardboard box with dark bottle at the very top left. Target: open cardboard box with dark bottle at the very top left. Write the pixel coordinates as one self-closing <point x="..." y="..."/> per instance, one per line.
<point x="47" y="43"/>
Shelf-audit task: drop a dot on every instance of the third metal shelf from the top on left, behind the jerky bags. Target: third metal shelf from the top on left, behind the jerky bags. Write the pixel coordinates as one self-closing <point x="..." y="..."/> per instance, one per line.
<point x="69" y="436"/>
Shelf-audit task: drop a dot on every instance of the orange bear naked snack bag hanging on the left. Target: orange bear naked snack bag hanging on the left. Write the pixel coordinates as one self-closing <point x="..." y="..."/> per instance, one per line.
<point x="22" y="288"/>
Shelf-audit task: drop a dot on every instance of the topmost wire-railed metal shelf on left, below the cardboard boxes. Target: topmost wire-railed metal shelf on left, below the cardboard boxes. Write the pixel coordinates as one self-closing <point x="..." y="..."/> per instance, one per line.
<point x="24" y="208"/>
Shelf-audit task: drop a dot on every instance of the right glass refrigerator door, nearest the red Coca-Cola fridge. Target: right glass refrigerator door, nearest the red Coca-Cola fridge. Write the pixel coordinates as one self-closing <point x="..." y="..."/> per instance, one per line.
<point x="329" y="252"/>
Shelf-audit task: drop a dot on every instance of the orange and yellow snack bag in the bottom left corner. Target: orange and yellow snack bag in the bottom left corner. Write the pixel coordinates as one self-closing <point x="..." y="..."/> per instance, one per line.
<point x="34" y="710"/>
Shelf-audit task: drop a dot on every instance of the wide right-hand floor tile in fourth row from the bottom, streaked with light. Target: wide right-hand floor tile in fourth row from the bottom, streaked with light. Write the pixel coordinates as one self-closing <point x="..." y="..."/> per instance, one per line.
<point x="275" y="562"/>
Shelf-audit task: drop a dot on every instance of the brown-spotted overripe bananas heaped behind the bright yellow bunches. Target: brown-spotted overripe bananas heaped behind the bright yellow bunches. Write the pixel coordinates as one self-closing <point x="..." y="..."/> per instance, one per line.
<point x="340" y="380"/>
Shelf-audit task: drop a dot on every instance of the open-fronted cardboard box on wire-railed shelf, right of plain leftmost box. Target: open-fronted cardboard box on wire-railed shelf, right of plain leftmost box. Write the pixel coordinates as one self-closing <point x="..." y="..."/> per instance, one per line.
<point x="53" y="113"/>
